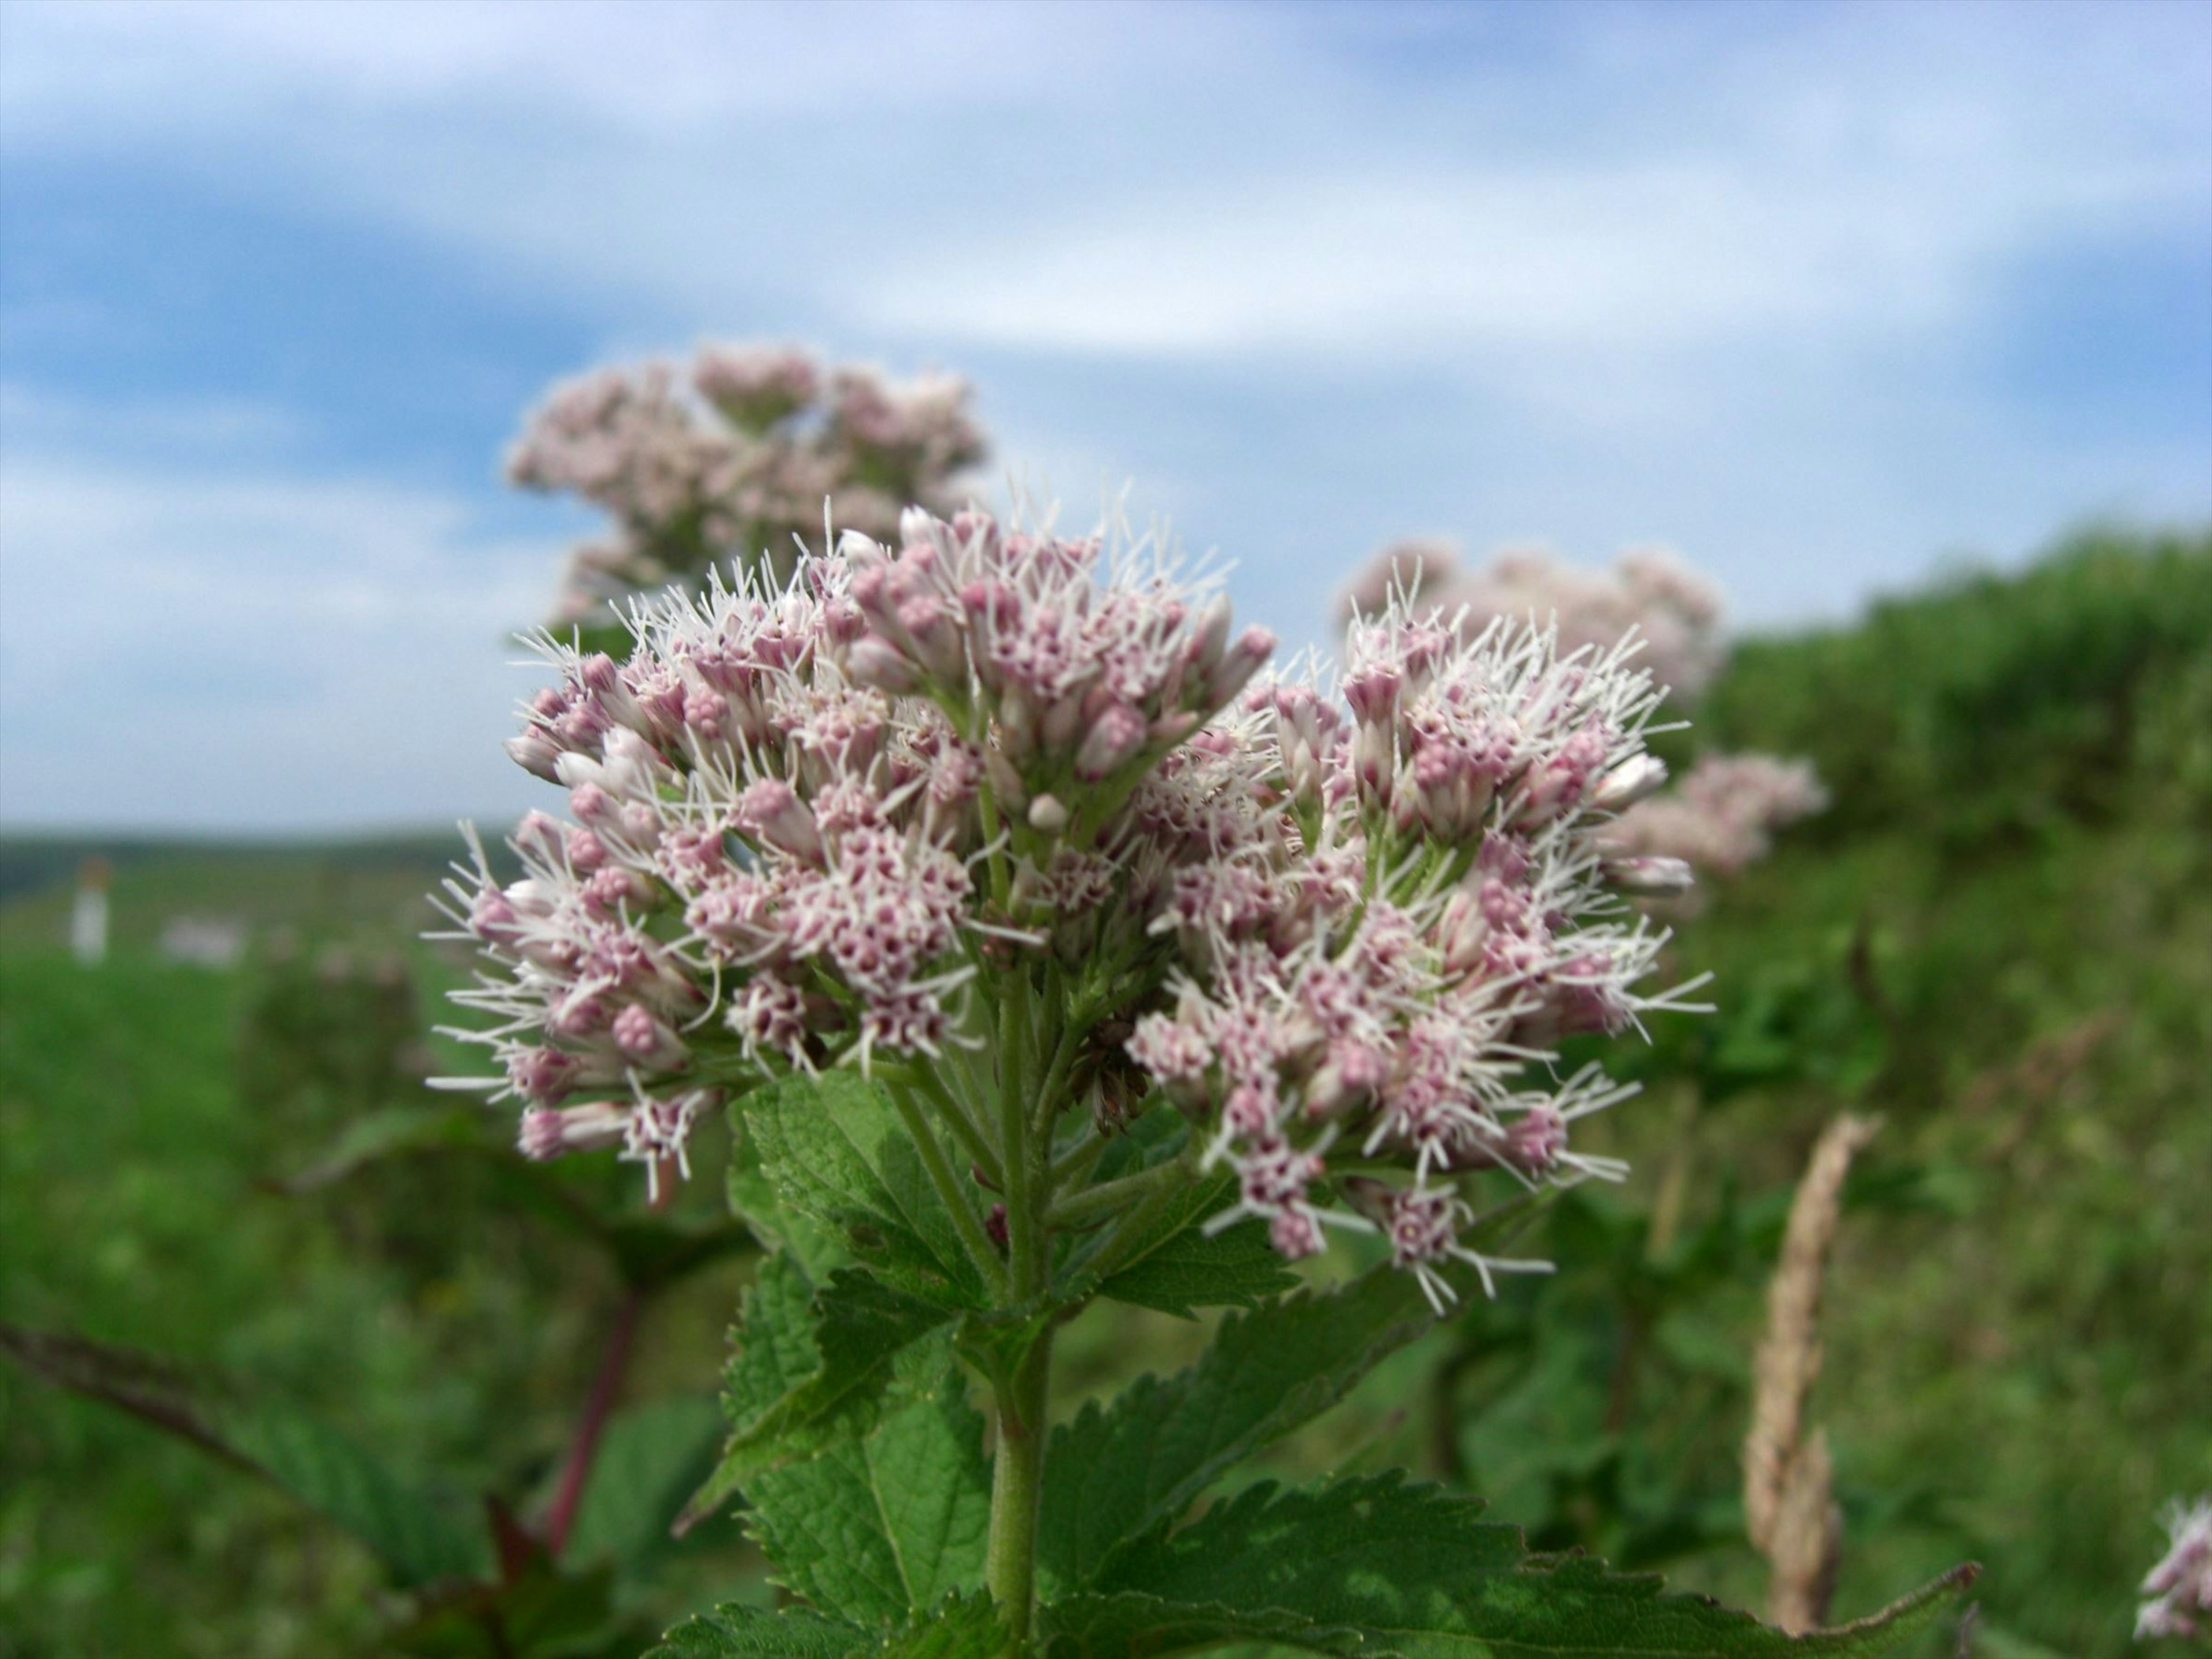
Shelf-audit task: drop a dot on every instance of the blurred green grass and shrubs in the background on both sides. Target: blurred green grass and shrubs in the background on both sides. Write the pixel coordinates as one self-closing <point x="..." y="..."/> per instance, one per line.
<point x="1999" y="939"/>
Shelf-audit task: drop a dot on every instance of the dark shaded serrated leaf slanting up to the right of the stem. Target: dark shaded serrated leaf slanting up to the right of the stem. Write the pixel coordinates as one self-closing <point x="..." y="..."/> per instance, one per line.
<point x="1116" y="1472"/>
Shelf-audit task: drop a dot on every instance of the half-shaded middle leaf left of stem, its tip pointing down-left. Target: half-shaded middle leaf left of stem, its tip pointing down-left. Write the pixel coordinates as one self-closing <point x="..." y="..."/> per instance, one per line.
<point x="811" y="1368"/>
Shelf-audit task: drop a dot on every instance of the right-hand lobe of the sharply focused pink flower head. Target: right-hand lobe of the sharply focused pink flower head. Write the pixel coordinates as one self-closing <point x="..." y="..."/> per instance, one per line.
<point x="1381" y="954"/>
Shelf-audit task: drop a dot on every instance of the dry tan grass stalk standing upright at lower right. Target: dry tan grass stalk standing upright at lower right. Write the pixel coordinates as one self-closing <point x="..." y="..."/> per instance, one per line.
<point x="1788" y="1481"/>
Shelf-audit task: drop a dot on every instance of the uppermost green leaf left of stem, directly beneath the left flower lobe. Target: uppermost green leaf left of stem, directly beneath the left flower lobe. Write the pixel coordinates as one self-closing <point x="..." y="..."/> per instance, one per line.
<point x="835" y="1151"/>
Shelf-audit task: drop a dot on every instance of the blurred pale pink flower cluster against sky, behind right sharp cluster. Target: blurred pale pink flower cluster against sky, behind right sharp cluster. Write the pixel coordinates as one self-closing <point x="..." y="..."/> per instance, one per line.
<point x="1676" y="612"/>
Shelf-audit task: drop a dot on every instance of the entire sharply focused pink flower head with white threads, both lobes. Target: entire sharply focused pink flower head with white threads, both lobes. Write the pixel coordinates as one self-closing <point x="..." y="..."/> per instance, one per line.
<point x="839" y="820"/>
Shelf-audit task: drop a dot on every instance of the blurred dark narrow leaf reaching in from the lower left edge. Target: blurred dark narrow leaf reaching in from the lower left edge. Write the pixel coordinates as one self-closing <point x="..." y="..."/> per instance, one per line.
<point x="326" y="1472"/>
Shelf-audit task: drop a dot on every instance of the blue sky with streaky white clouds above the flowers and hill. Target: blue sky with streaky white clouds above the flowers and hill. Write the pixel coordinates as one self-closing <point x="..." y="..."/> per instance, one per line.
<point x="1819" y="295"/>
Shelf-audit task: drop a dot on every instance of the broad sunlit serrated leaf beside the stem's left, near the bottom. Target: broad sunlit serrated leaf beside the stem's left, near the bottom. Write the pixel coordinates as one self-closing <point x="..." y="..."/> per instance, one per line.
<point x="893" y="1521"/>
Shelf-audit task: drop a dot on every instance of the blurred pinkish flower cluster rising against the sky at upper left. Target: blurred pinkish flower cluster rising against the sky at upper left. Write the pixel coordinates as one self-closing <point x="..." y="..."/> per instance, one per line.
<point x="733" y="459"/>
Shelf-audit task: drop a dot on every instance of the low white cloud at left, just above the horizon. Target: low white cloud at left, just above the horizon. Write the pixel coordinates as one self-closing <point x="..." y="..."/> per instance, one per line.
<point x="189" y="649"/>
